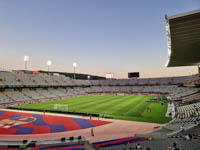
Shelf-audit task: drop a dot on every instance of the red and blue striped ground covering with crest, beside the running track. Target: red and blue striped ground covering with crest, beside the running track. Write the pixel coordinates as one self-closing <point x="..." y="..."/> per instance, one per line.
<point x="17" y="123"/>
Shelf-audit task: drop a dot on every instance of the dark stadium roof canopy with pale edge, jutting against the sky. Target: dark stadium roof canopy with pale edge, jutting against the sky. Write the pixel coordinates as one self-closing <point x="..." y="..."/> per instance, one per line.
<point x="183" y="32"/>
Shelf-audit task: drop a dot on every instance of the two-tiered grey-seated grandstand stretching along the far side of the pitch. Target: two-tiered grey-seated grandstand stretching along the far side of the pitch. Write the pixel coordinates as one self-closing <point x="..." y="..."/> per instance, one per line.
<point x="21" y="87"/>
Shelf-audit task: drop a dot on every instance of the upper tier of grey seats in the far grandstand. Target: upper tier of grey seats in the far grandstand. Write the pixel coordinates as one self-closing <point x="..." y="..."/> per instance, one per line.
<point x="14" y="79"/>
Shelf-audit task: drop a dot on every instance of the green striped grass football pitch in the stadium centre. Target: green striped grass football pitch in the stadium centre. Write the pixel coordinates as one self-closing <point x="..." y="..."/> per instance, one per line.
<point x="125" y="107"/>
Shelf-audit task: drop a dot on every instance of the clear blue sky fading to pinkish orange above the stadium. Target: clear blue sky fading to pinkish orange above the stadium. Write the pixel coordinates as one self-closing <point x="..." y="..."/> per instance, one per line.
<point x="102" y="36"/>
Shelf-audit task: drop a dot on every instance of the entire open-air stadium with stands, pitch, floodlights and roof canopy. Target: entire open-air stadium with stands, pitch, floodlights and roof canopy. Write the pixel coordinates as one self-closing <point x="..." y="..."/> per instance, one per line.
<point x="48" y="110"/>
